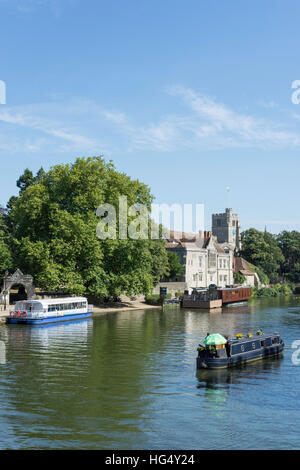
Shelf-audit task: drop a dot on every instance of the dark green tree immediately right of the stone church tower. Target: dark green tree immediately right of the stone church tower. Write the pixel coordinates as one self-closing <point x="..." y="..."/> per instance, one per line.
<point x="262" y="250"/>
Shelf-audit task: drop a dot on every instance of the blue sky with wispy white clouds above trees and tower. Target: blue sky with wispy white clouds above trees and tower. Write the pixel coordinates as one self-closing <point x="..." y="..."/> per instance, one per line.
<point x="191" y="97"/>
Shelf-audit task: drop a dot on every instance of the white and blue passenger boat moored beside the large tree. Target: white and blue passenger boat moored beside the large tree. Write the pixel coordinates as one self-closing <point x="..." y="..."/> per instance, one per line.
<point x="36" y="312"/>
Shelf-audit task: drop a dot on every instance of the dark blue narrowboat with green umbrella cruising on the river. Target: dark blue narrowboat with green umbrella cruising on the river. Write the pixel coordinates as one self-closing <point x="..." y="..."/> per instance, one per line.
<point x="220" y="352"/>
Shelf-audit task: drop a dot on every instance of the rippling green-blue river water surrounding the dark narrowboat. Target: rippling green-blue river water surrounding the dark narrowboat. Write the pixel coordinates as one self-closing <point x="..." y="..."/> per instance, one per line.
<point x="128" y="380"/>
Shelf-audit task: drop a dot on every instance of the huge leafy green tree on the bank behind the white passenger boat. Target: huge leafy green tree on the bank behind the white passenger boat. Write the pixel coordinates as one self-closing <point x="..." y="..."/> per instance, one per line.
<point x="54" y="230"/>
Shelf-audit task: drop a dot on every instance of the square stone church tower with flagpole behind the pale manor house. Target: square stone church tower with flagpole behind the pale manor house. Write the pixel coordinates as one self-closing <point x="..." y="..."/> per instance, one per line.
<point x="226" y="227"/>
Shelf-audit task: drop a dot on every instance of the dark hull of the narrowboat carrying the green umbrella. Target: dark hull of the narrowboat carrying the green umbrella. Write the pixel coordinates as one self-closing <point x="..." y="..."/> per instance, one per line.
<point x="239" y="359"/>
